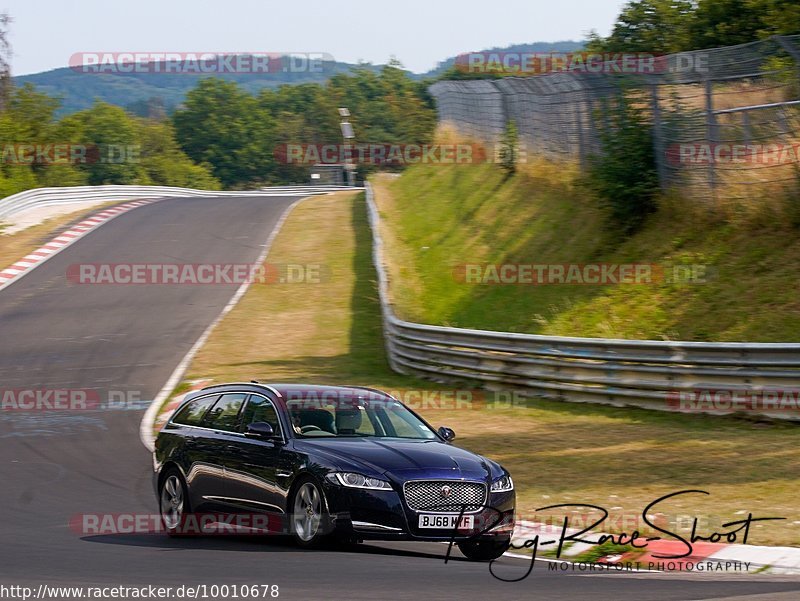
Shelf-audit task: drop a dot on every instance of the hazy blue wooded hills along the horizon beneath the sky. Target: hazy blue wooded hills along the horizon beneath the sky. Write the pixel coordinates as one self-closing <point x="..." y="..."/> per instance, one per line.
<point x="157" y="92"/>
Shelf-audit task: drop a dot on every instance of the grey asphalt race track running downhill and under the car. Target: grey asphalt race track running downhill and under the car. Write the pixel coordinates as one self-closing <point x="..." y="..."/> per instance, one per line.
<point x="56" y="465"/>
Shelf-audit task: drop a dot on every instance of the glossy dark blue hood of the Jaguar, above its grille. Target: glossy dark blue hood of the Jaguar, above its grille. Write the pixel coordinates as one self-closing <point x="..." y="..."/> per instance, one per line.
<point x="401" y="459"/>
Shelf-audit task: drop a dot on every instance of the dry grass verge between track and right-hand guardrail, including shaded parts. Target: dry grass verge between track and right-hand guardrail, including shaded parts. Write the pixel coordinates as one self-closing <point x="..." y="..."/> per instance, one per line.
<point x="557" y="452"/>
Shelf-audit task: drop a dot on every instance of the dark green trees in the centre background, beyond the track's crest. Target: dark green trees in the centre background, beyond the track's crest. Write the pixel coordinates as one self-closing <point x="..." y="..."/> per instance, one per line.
<point x="237" y="134"/>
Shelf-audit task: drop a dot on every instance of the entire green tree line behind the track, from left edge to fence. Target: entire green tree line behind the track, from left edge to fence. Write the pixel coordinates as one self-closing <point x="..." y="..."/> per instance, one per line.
<point x="222" y="136"/>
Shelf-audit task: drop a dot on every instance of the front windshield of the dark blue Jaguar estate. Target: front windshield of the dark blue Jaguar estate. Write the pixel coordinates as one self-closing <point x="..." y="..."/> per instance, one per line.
<point x="373" y="418"/>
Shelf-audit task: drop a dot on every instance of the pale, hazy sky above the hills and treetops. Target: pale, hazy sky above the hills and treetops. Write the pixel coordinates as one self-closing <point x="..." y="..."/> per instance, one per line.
<point x="420" y="33"/>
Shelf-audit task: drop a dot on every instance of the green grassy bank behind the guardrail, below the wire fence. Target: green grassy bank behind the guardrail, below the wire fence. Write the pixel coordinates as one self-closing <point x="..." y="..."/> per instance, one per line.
<point x="438" y="217"/>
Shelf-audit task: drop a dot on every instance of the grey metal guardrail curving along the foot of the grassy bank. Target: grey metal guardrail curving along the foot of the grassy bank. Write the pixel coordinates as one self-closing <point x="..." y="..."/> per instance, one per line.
<point x="645" y="373"/>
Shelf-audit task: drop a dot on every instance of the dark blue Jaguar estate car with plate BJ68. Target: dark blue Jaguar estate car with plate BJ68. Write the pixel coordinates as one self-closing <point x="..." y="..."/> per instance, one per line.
<point x="329" y="463"/>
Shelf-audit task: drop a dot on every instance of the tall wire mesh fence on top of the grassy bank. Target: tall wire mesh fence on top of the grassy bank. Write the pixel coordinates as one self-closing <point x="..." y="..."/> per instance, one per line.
<point x="725" y="121"/>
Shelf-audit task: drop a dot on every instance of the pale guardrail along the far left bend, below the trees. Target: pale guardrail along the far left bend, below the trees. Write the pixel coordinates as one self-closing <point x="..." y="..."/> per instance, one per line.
<point x="40" y="197"/>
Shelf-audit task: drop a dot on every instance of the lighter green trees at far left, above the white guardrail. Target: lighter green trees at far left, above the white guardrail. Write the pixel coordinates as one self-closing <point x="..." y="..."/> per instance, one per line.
<point x="31" y="139"/>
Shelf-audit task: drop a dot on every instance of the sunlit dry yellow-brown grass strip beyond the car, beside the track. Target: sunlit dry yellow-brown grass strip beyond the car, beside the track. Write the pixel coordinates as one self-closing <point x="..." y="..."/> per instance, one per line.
<point x="278" y="321"/>
